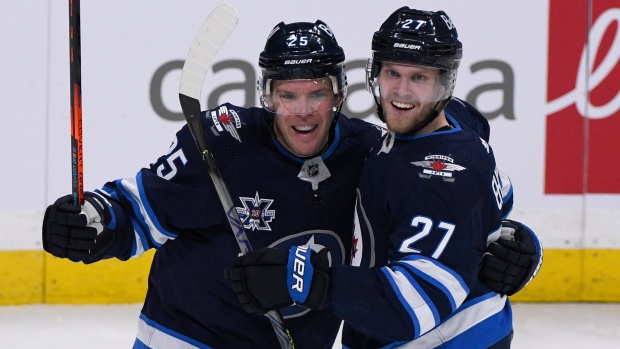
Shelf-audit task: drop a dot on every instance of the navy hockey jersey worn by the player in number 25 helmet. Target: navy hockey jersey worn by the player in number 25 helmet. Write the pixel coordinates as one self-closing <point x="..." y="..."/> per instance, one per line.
<point x="173" y="207"/>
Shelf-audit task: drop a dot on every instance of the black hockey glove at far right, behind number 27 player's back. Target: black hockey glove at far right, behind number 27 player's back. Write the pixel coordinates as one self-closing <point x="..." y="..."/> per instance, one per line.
<point x="511" y="262"/>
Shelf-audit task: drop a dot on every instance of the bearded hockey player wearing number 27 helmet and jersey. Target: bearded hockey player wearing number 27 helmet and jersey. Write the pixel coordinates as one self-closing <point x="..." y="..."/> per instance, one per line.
<point x="429" y="201"/>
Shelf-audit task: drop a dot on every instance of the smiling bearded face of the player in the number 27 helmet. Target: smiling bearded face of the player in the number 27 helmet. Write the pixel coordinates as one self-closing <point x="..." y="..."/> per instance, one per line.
<point x="408" y="95"/>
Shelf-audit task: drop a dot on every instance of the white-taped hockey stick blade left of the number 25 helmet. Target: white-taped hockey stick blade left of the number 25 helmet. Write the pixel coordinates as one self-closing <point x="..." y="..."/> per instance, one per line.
<point x="208" y="41"/>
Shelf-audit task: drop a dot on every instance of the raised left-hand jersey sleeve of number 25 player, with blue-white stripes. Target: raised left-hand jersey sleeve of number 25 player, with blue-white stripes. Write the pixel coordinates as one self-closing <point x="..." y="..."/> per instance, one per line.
<point x="172" y="196"/>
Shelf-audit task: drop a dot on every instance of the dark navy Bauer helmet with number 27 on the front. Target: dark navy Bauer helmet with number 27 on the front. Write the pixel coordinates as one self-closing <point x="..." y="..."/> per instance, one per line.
<point x="421" y="38"/>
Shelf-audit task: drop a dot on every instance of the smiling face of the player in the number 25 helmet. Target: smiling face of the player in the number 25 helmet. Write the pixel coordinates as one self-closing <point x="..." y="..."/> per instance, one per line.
<point x="303" y="114"/>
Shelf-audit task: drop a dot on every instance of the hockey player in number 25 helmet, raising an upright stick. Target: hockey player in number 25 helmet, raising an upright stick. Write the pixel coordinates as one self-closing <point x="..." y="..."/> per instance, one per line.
<point x="291" y="167"/>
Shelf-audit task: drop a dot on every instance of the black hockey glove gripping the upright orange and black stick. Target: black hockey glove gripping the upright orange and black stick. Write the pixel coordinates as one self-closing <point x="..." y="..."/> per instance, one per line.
<point x="77" y="233"/>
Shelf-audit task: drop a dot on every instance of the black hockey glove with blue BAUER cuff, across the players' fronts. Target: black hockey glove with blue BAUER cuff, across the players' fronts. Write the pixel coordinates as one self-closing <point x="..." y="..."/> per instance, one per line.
<point x="269" y="278"/>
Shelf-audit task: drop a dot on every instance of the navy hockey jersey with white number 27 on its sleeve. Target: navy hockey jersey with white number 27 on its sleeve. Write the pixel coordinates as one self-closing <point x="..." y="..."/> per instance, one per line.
<point x="427" y="207"/>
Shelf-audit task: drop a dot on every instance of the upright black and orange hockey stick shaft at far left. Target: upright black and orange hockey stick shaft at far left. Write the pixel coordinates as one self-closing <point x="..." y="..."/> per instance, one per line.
<point x="75" y="55"/>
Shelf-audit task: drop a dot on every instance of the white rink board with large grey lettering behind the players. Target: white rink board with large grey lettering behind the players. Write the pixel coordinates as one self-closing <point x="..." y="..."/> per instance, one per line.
<point x="124" y="44"/>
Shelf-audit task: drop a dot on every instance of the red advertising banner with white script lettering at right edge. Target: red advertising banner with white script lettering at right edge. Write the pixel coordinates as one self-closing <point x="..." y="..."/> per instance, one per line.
<point x="583" y="123"/>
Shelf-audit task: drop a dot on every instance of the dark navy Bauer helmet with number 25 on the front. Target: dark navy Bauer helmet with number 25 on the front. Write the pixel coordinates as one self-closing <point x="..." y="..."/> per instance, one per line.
<point x="302" y="50"/>
